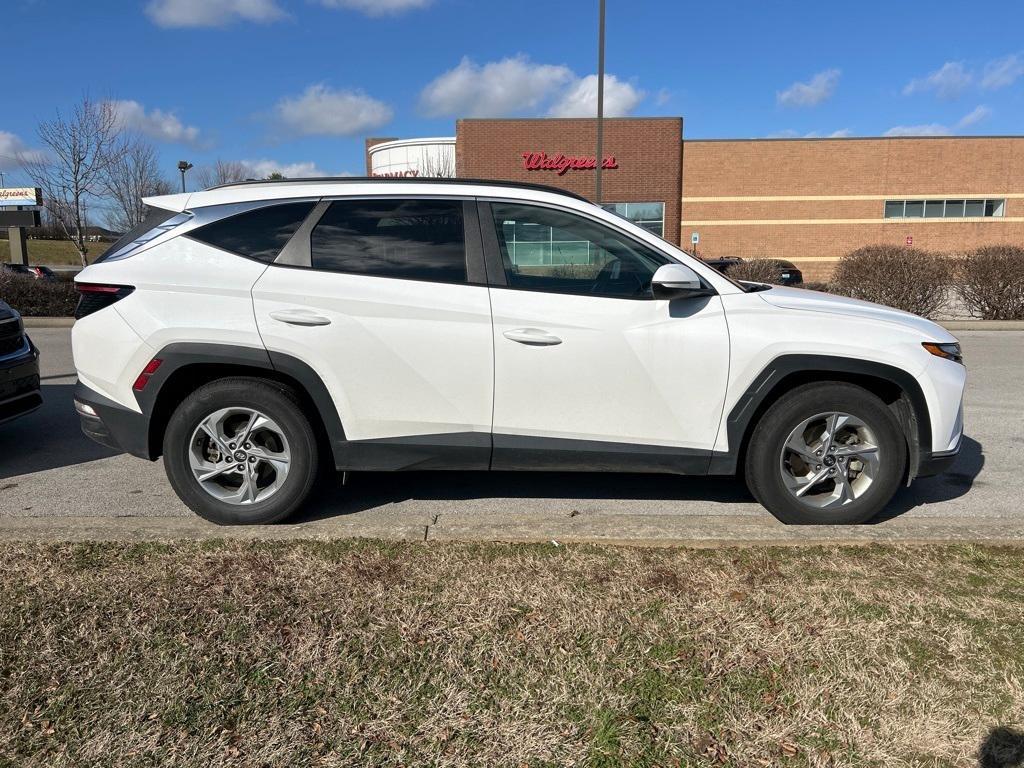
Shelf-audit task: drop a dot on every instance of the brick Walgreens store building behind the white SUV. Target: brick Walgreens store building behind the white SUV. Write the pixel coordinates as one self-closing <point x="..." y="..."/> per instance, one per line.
<point x="808" y="201"/>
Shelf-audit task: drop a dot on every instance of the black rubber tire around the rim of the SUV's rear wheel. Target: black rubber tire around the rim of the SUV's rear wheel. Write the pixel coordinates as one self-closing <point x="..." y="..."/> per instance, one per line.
<point x="278" y="403"/>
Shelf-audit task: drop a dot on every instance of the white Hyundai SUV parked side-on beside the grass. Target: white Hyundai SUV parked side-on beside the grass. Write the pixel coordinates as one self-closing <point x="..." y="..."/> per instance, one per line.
<point x="249" y="332"/>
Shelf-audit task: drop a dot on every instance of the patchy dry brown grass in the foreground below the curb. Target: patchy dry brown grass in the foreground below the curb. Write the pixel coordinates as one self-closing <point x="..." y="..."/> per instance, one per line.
<point x="367" y="654"/>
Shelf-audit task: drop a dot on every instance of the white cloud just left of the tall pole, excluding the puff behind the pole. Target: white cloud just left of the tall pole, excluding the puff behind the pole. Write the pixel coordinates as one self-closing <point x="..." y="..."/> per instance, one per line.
<point x="498" y="89"/>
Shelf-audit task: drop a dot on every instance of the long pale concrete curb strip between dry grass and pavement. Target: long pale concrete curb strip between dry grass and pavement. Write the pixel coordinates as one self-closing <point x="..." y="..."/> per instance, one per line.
<point x="632" y="531"/>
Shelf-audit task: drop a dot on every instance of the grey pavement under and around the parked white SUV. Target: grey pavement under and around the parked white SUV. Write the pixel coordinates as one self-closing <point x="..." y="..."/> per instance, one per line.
<point x="50" y="471"/>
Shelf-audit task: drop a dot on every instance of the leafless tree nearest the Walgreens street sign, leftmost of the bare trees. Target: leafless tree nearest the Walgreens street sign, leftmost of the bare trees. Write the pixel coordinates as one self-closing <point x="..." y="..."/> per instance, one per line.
<point x="73" y="167"/>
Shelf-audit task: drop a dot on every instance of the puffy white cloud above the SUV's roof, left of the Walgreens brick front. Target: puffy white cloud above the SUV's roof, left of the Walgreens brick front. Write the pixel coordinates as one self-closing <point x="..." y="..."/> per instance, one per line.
<point x="326" y="112"/>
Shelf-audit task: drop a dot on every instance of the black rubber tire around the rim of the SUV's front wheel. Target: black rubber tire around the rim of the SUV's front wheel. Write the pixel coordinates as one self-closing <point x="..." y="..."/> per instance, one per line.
<point x="765" y="478"/>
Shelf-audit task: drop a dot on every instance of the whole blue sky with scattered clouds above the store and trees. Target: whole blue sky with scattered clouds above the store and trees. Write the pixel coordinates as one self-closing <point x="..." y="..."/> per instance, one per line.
<point x="298" y="84"/>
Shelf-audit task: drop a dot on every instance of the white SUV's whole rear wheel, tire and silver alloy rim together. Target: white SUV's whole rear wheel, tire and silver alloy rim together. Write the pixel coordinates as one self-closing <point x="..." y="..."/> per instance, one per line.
<point x="241" y="451"/>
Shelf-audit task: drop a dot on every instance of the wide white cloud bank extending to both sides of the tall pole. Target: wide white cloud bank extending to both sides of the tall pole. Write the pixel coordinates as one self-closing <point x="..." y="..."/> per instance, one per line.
<point x="519" y="87"/>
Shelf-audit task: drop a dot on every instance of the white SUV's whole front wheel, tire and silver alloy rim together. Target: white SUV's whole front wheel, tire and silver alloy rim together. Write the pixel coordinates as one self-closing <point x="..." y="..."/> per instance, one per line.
<point x="829" y="453"/>
